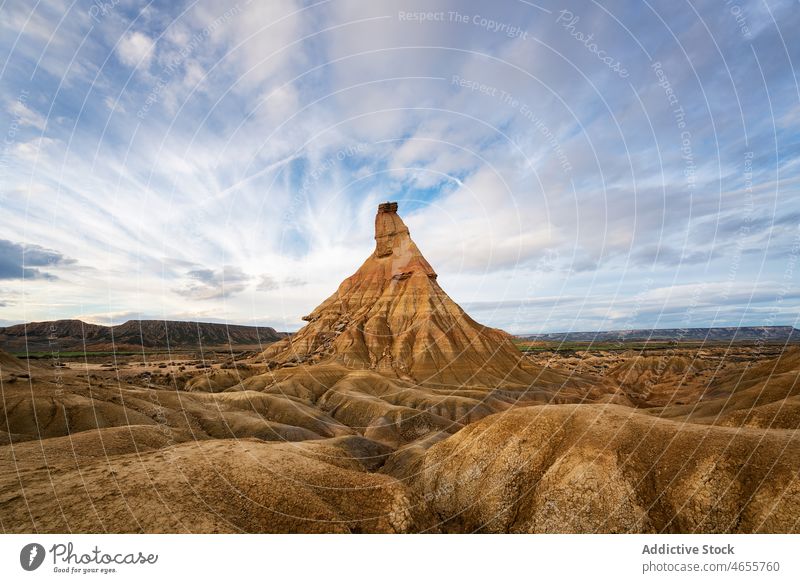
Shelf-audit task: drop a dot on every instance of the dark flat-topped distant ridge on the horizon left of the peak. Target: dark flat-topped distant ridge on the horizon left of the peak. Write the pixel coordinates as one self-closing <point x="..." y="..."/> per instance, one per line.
<point x="75" y="335"/>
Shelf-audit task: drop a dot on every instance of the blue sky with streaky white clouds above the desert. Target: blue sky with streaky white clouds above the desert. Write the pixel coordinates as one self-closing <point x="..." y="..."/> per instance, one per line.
<point x="563" y="166"/>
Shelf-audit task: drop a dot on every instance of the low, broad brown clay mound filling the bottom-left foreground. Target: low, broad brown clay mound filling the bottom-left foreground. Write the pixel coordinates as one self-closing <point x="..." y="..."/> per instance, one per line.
<point x="207" y="486"/>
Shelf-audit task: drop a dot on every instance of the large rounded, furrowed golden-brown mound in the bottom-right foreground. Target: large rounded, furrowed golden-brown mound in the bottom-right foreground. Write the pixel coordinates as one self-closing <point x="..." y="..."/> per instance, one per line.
<point x="605" y="468"/>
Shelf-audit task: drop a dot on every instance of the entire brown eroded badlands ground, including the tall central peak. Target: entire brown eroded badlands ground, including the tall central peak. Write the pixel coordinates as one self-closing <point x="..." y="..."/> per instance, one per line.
<point x="394" y="411"/>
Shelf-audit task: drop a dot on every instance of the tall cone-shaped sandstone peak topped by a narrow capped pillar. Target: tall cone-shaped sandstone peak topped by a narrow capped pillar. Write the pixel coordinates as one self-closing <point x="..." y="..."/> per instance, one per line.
<point x="393" y="317"/>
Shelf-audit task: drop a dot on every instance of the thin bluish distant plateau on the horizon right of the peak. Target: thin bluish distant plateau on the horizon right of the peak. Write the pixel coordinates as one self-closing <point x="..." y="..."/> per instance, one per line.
<point x="729" y="334"/>
